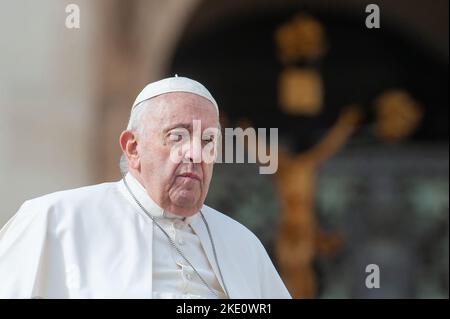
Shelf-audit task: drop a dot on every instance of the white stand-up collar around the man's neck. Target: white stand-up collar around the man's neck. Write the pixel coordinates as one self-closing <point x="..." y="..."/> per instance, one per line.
<point x="149" y="204"/>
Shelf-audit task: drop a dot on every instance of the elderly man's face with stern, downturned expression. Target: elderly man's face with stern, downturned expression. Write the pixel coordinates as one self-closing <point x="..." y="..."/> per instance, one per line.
<point x="179" y="183"/>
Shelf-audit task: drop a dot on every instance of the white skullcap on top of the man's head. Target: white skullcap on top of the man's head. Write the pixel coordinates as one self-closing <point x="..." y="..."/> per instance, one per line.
<point x="174" y="84"/>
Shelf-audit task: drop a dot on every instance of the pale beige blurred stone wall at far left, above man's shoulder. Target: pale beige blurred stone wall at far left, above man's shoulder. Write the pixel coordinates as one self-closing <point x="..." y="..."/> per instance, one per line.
<point x="47" y="97"/>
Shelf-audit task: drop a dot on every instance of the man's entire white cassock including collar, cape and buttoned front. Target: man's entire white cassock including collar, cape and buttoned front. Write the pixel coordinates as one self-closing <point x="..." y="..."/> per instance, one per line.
<point x="96" y="242"/>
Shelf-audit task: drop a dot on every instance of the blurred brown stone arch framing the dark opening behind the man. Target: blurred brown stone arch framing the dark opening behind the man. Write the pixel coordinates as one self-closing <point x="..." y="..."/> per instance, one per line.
<point x="141" y="37"/>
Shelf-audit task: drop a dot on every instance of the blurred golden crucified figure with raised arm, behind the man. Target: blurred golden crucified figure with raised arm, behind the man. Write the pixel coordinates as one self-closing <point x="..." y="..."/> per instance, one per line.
<point x="299" y="237"/>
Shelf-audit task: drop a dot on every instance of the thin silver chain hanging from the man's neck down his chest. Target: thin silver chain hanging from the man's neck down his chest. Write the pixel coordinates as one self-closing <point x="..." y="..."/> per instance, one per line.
<point x="177" y="249"/>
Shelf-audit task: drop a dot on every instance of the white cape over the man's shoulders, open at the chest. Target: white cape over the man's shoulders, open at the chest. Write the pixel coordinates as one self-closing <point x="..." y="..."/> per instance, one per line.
<point x="95" y="242"/>
